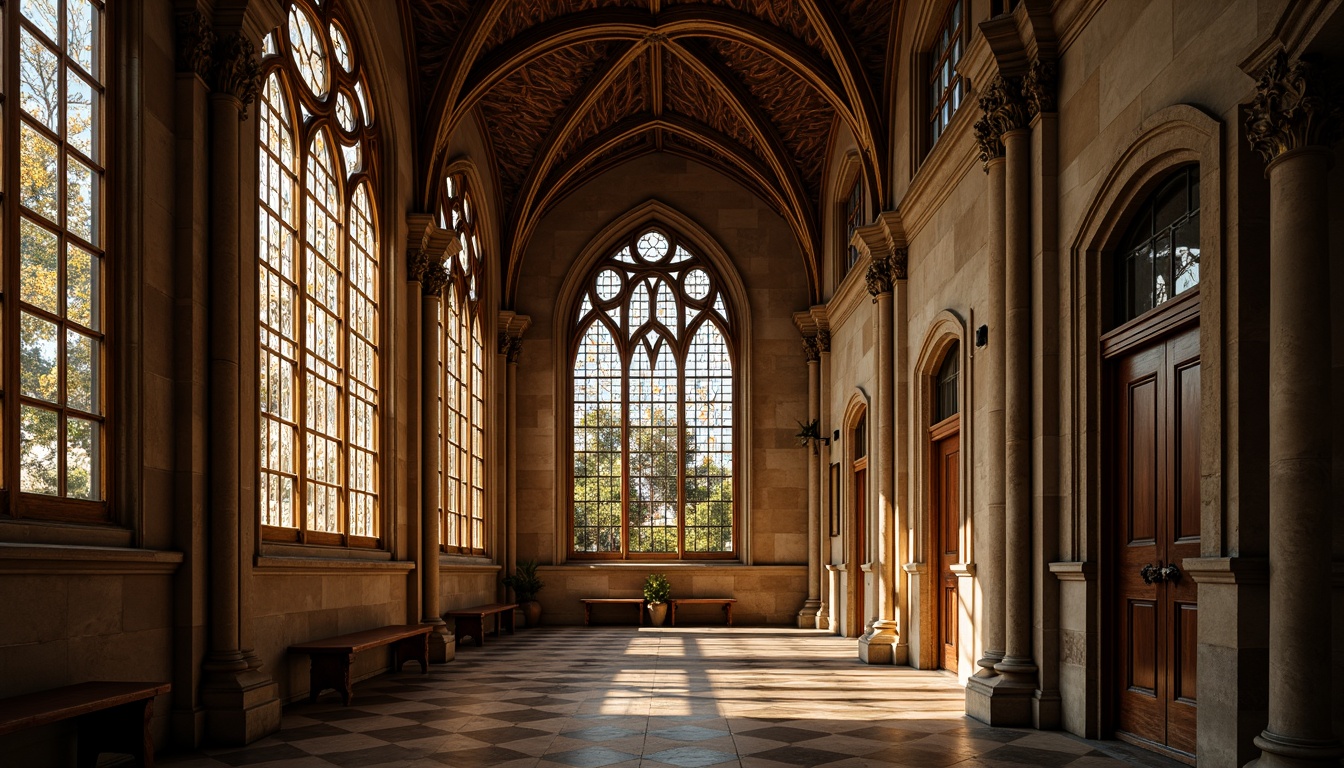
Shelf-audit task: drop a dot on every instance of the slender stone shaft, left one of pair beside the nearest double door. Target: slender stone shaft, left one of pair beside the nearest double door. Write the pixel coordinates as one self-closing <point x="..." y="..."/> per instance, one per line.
<point x="990" y="524"/>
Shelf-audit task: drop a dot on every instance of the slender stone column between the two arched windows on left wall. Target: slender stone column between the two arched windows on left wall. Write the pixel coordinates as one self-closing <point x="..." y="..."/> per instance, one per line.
<point x="429" y="271"/>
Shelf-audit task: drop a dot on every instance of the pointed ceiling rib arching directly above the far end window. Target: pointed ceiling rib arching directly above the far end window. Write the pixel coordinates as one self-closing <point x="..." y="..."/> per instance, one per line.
<point x="749" y="165"/>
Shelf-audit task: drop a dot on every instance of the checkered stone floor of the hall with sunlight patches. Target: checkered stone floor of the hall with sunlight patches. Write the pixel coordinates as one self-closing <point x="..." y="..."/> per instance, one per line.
<point x="591" y="697"/>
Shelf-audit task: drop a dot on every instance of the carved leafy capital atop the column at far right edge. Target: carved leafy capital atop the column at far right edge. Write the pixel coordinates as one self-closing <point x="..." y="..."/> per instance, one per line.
<point x="1292" y="110"/>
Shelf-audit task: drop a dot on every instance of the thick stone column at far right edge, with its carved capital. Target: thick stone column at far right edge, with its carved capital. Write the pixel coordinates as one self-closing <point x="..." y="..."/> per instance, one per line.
<point x="1292" y="127"/>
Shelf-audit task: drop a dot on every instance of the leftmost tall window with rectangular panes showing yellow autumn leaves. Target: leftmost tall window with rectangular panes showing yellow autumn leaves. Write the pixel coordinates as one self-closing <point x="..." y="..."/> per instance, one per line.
<point x="54" y="287"/>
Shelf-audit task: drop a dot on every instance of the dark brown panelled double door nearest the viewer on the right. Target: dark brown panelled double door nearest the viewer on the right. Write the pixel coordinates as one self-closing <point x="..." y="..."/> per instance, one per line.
<point x="1157" y="527"/>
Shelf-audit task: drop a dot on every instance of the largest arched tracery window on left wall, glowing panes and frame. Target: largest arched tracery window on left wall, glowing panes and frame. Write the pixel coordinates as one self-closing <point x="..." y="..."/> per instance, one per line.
<point x="319" y="286"/>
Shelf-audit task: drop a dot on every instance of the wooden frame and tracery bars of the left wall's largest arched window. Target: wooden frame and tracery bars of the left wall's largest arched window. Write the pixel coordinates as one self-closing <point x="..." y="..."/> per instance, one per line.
<point x="323" y="120"/>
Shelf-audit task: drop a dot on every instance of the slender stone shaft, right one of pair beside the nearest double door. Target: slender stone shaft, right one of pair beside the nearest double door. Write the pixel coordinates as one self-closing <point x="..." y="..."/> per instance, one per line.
<point x="1018" y="407"/>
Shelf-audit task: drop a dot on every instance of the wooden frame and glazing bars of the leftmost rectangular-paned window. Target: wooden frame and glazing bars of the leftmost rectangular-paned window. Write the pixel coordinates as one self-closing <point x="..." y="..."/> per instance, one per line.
<point x="15" y="504"/>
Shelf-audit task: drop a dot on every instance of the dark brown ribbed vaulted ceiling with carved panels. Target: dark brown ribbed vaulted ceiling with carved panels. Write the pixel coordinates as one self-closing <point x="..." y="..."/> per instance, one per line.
<point x="566" y="89"/>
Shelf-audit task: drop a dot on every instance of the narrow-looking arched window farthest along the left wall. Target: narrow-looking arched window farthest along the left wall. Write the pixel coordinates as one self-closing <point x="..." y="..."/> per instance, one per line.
<point x="464" y="377"/>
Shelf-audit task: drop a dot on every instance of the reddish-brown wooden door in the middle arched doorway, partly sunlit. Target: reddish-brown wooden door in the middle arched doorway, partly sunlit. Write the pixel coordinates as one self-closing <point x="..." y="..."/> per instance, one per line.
<point x="946" y="514"/>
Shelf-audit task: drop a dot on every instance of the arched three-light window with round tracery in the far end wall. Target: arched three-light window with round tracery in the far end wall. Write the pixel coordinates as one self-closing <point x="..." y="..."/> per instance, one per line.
<point x="654" y="408"/>
